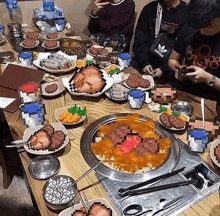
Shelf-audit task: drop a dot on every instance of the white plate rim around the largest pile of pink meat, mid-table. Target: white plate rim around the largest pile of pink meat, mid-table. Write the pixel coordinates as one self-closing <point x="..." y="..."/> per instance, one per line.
<point x="109" y="82"/>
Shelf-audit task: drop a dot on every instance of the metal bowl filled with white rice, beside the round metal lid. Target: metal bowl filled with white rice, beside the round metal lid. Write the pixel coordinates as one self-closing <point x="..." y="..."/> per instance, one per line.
<point x="59" y="192"/>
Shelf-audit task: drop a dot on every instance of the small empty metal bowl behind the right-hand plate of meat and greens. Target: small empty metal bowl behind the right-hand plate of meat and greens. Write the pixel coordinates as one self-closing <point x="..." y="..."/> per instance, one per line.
<point x="183" y="107"/>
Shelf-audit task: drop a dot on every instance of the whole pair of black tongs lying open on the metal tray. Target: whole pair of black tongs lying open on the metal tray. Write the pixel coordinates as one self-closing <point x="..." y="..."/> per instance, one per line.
<point x="129" y="191"/>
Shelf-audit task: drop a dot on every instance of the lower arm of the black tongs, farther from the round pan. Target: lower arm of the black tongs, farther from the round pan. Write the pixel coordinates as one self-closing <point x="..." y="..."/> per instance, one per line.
<point x="157" y="188"/>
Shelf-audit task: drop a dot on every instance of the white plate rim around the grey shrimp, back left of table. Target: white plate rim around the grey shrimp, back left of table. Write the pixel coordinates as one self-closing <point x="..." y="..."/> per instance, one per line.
<point x="45" y="55"/>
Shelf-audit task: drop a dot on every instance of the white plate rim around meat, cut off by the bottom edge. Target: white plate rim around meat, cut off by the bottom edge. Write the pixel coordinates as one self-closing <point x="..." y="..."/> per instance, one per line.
<point x="69" y="211"/>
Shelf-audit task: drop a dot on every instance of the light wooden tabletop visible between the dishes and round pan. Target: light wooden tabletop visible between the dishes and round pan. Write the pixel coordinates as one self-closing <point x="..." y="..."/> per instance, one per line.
<point x="71" y="159"/>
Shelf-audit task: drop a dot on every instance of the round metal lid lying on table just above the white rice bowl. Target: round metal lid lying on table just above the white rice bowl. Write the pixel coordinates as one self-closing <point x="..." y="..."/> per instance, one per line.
<point x="44" y="167"/>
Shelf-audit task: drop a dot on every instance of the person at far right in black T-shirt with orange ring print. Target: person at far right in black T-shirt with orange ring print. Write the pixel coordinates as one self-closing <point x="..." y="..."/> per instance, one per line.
<point x="199" y="43"/>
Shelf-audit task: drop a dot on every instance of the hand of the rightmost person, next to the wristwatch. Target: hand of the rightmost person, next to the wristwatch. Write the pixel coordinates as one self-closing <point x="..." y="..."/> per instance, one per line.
<point x="199" y="75"/>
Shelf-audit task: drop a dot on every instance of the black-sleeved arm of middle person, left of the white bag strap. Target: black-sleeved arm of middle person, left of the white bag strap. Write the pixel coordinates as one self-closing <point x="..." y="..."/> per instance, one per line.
<point x="143" y="38"/>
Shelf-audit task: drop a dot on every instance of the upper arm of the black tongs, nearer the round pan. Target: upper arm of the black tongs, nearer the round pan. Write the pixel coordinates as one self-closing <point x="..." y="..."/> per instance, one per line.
<point x="167" y="175"/>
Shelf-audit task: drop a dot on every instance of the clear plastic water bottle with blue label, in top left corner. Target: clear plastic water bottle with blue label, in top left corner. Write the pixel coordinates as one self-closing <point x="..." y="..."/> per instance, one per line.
<point x="14" y="10"/>
